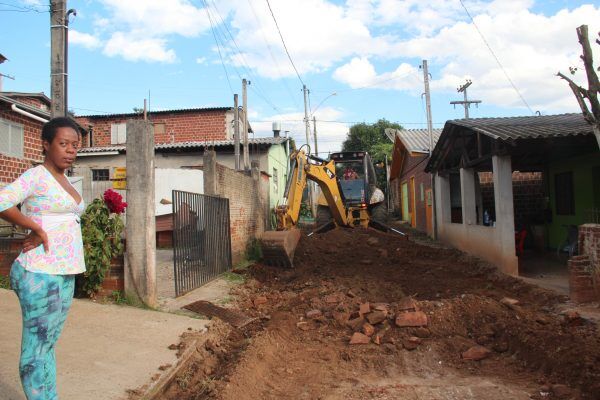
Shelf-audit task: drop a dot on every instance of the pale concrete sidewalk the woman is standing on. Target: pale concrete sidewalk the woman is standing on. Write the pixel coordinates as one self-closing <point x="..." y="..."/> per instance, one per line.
<point x="103" y="351"/>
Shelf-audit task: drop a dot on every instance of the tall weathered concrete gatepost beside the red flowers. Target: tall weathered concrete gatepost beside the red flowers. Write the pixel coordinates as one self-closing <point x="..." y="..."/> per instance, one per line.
<point x="140" y="268"/>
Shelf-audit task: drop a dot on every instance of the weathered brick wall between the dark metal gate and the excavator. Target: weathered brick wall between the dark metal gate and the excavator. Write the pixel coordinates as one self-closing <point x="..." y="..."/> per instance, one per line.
<point x="246" y="194"/>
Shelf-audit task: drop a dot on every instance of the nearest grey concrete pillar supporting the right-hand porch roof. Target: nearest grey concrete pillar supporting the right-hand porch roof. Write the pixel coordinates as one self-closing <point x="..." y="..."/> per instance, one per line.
<point x="505" y="218"/>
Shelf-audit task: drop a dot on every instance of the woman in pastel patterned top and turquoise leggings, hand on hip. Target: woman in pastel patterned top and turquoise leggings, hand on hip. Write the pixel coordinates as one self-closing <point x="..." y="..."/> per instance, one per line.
<point x="43" y="275"/>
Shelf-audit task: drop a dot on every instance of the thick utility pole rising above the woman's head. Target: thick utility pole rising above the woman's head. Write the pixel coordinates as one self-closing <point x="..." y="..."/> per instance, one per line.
<point x="58" y="16"/>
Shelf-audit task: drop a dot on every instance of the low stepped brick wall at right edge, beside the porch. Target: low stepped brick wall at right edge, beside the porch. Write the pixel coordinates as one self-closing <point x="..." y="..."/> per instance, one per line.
<point x="584" y="269"/>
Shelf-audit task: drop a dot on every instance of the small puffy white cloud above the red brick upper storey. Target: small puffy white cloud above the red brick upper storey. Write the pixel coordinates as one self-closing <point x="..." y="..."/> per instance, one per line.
<point x="138" y="49"/>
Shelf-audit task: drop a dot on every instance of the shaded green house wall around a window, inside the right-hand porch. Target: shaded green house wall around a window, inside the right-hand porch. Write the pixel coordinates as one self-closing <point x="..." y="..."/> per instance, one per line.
<point x="586" y="189"/>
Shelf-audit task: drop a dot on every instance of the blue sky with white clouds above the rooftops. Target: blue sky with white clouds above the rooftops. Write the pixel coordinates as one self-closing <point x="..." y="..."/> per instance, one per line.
<point x="360" y="59"/>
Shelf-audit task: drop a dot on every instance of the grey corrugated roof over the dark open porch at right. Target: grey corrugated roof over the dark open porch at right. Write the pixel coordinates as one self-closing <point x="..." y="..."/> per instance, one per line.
<point x="531" y="127"/>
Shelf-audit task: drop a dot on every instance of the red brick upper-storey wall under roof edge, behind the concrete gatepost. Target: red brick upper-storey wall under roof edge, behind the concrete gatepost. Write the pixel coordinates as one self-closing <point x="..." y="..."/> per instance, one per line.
<point x="178" y="127"/>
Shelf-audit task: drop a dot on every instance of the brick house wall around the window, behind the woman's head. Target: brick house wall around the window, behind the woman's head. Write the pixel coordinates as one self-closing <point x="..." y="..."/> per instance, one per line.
<point x="11" y="167"/>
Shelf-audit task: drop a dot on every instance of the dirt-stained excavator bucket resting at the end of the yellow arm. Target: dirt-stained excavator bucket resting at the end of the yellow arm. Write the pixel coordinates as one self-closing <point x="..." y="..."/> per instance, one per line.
<point x="278" y="247"/>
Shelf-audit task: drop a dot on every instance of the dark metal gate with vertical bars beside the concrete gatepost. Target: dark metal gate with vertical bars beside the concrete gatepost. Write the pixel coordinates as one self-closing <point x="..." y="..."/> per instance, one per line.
<point x="201" y="239"/>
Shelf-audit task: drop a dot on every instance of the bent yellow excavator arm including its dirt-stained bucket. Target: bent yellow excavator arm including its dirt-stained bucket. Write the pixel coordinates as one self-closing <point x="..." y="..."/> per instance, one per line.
<point x="279" y="246"/>
